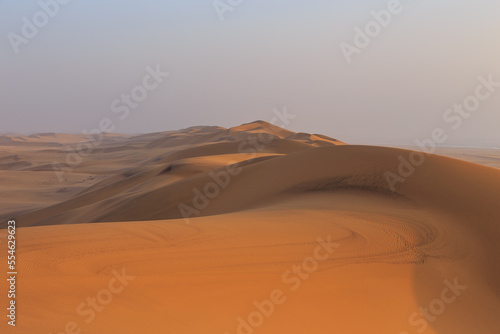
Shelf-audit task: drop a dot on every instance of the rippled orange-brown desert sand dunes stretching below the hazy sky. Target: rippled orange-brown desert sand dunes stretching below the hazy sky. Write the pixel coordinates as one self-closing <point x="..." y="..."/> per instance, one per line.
<point x="385" y="255"/>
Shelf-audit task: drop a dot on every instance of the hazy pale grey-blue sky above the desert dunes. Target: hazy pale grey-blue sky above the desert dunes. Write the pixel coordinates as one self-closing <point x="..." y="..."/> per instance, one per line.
<point x="266" y="54"/>
